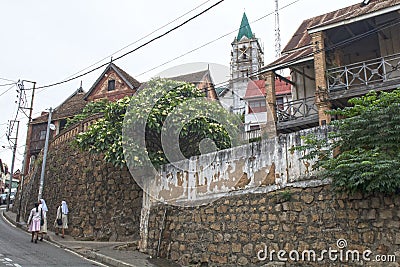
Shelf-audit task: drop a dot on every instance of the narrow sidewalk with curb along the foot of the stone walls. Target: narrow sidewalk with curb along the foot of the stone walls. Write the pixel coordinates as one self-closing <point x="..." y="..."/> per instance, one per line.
<point x="117" y="254"/>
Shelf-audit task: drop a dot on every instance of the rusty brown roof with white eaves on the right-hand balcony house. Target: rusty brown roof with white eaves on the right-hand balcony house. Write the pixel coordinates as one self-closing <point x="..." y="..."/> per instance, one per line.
<point x="299" y="48"/>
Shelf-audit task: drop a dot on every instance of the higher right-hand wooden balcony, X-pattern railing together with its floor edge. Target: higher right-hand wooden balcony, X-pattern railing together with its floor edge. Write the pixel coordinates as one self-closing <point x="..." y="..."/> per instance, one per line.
<point x="359" y="78"/>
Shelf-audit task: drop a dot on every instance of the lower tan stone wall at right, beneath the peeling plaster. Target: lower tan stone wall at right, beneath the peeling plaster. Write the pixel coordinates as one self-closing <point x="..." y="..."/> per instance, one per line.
<point x="232" y="230"/>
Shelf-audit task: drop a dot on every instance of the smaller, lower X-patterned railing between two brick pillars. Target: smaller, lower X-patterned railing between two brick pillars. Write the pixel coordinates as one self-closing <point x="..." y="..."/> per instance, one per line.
<point x="296" y="109"/>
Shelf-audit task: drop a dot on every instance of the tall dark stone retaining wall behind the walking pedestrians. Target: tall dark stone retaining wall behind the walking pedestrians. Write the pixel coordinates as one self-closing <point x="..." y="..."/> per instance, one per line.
<point x="104" y="201"/>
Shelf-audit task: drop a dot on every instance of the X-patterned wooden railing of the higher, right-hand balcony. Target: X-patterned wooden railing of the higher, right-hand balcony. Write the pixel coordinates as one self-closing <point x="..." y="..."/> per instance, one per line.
<point x="364" y="73"/>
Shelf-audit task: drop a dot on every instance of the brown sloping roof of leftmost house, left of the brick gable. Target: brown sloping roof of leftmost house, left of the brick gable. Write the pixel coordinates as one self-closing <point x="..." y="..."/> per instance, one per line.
<point x="73" y="105"/>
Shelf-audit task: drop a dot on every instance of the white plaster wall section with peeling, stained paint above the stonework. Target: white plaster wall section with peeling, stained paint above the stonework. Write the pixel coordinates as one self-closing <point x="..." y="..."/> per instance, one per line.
<point x="265" y="163"/>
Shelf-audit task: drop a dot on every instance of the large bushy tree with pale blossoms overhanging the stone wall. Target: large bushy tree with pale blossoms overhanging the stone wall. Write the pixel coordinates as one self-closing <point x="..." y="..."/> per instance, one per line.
<point x="160" y="124"/>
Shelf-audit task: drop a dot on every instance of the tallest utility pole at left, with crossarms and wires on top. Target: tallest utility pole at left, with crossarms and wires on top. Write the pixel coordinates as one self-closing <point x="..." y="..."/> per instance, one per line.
<point x="25" y="161"/>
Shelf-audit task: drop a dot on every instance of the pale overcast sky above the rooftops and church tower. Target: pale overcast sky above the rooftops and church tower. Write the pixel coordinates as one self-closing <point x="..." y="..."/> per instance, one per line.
<point x="48" y="41"/>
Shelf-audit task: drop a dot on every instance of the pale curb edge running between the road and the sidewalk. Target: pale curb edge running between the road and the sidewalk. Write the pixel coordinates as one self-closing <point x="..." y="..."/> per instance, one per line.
<point x="91" y="255"/>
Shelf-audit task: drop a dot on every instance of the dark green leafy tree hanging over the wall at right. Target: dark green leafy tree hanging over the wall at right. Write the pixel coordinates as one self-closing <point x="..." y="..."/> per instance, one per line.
<point x="368" y="142"/>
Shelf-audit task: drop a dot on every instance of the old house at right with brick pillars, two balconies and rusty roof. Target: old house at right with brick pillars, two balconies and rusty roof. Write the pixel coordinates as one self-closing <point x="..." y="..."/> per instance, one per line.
<point x="334" y="57"/>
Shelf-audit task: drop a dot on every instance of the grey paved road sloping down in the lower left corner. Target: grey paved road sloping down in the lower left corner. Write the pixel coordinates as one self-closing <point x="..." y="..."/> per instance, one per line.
<point x="17" y="250"/>
